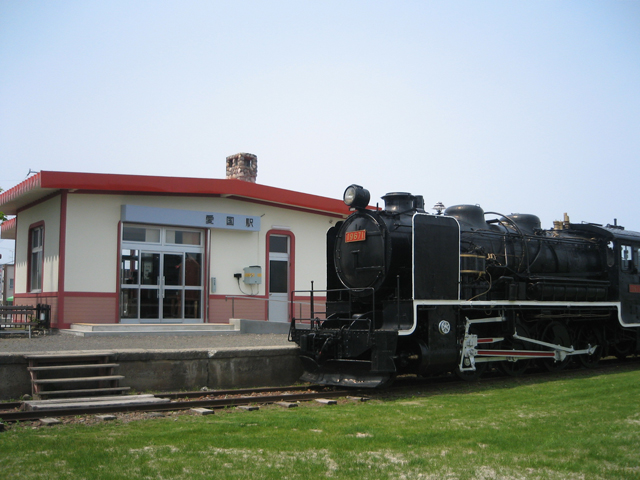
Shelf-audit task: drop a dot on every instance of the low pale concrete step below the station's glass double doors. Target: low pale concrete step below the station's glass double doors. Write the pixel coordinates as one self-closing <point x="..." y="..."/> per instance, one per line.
<point x="95" y="330"/>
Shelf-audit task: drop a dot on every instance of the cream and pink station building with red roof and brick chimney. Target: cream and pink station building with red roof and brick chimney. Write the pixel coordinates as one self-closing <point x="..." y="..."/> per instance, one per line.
<point x="104" y="248"/>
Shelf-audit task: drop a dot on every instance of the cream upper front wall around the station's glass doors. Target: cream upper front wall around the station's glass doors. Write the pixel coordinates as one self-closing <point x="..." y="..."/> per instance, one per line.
<point x="92" y="255"/>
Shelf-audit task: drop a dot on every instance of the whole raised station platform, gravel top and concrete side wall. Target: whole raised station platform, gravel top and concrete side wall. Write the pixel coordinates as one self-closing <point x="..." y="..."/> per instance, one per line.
<point x="256" y="354"/>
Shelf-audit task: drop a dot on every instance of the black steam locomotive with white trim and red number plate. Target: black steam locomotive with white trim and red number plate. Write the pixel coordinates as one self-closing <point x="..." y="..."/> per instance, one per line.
<point x="413" y="292"/>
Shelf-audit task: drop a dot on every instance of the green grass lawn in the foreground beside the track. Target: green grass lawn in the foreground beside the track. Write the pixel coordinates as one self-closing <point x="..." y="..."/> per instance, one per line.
<point x="584" y="425"/>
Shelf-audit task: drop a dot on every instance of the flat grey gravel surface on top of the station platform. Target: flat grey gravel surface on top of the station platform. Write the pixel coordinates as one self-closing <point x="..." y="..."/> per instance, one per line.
<point x="63" y="342"/>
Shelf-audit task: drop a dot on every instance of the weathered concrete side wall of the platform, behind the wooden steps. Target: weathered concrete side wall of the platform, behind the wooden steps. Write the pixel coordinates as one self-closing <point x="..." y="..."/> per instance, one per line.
<point x="170" y="370"/>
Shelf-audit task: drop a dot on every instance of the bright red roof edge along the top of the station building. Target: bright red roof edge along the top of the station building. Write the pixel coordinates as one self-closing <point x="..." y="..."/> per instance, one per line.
<point x="46" y="183"/>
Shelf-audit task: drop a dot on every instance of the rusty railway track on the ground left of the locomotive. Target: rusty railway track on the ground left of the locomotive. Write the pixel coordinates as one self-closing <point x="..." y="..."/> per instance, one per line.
<point x="11" y="412"/>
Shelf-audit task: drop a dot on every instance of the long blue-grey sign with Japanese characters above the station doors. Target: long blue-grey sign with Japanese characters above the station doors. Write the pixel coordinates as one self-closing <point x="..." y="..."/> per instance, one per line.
<point x="189" y="218"/>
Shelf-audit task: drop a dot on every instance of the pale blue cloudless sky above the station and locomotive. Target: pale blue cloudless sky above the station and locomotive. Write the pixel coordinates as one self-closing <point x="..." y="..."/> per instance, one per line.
<point x="521" y="107"/>
